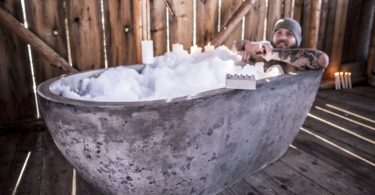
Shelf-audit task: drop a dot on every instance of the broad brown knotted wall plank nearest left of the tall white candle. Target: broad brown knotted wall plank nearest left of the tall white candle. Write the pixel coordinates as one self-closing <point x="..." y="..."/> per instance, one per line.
<point x="119" y="32"/>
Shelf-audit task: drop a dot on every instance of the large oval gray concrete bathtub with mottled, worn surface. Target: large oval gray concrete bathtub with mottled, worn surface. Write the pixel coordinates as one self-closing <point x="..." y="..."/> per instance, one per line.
<point x="195" y="145"/>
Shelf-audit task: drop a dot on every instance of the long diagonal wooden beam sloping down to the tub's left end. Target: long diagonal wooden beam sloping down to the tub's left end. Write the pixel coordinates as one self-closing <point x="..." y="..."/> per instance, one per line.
<point x="37" y="44"/>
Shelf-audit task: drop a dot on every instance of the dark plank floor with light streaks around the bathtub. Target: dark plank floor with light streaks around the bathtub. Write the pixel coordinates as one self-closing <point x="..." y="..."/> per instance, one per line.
<point x="332" y="154"/>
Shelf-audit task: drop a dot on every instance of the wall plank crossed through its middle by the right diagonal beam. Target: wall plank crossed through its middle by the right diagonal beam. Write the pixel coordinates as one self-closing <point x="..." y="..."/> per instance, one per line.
<point x="228" y="7"/>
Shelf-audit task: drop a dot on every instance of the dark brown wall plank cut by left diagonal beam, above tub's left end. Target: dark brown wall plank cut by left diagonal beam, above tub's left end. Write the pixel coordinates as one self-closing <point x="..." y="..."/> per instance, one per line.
<point x="46" y="20"/>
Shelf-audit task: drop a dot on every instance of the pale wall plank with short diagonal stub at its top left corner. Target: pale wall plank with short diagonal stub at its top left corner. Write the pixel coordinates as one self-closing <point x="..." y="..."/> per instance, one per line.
<point x="181" y="26"/>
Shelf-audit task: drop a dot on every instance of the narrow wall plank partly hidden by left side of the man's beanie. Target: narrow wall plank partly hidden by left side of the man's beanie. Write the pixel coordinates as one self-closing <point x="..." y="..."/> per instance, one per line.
<point x="274" y="13"/>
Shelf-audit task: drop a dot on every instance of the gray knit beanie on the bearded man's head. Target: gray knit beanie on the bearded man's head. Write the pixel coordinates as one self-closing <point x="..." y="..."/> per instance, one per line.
<point x="293" y="26"/>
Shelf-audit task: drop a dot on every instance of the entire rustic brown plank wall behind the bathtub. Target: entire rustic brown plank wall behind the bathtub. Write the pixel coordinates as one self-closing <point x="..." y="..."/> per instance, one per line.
<point x="75" y="30"/>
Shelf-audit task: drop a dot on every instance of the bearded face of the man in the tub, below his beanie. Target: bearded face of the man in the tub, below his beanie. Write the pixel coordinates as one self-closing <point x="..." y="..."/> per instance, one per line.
<point x="283" y="38"/>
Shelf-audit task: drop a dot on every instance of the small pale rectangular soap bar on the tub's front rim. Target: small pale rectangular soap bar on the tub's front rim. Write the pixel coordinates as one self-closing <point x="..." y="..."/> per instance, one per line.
<point x="236" y="81"/>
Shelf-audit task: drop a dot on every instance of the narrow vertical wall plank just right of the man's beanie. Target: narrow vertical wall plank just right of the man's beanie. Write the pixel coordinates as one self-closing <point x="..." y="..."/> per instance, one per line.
<point x="314" y="23"/>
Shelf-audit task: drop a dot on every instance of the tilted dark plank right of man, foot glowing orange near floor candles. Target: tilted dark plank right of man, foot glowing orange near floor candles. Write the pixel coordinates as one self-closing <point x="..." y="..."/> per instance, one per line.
<point x="338" y="38"/>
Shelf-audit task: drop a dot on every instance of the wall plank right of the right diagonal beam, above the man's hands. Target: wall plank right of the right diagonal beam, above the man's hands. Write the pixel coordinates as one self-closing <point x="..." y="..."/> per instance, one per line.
<point x="254" y="26"/>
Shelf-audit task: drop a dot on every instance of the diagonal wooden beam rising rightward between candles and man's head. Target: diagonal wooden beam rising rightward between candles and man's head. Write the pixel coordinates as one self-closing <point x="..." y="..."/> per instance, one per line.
<point x="229" y="26"/>
